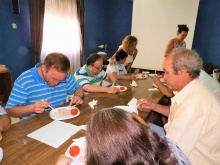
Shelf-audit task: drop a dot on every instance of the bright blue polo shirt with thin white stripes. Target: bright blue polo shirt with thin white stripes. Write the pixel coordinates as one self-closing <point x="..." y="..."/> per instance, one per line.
<point x="30" y="87"/>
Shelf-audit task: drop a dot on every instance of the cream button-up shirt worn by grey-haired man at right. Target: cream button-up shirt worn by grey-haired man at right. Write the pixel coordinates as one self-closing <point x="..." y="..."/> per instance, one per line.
<point x="194" y="123"/>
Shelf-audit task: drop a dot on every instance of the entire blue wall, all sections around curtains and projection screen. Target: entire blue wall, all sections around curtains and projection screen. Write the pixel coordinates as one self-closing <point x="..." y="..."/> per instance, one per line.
<point x="106" y="22"/>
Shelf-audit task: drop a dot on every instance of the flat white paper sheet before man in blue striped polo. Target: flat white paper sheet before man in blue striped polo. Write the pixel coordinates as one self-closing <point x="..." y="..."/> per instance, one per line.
<point x="55" y="133"/>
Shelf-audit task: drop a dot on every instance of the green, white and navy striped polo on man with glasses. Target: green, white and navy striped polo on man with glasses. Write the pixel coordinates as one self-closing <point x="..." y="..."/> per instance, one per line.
<point x="83" y="76"/>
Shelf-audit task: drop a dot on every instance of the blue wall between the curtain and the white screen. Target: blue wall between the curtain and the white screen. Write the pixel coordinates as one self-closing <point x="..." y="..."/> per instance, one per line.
<point x="106" y="22"/>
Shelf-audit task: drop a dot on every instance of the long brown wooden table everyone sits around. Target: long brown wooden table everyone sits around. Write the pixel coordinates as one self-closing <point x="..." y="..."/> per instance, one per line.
<point x="22" y="150"/>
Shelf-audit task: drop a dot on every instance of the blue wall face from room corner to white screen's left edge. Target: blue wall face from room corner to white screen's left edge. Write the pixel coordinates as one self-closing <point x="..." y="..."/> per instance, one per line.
<point x="119" y="23"/>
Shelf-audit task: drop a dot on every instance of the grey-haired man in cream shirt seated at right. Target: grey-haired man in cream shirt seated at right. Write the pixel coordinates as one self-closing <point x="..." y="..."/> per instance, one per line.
<point x="194" y="115"/>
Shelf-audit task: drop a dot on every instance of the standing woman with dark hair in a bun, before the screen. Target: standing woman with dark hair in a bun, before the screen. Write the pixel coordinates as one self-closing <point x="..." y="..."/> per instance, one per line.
<point x="178" y="41"/>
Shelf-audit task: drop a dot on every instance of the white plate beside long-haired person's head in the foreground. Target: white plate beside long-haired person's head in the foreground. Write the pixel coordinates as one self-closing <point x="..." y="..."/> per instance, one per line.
<point x="80" y="159"/>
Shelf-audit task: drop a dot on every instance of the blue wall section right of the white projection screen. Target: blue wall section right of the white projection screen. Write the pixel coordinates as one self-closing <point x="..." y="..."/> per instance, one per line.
<point x="207" y="32"/>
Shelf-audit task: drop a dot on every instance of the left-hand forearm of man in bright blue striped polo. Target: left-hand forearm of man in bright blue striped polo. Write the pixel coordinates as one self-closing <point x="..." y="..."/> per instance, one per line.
<point x="20" y="111"/>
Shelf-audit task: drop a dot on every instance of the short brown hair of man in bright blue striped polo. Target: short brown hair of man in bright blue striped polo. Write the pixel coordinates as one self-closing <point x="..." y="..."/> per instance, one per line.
<point x="58" y="61"/>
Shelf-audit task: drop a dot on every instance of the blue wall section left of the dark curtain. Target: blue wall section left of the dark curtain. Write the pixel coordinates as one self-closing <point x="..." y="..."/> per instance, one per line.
<point x="14" y="43"/>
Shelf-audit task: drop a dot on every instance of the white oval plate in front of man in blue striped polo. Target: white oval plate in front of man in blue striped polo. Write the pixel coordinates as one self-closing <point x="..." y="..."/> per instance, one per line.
<point x="63" y="113"/>
